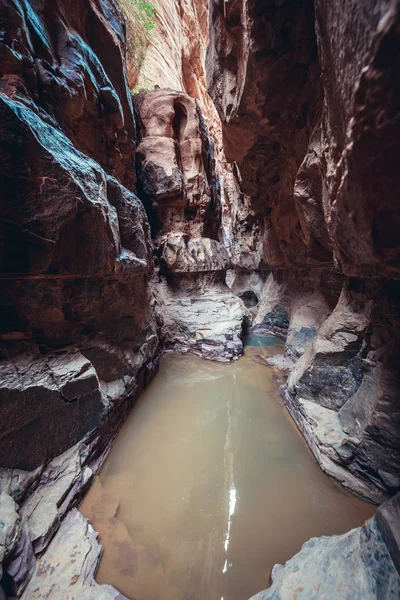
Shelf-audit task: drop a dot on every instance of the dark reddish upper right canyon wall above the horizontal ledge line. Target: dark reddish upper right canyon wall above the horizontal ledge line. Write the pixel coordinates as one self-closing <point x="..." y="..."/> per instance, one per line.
<point x="305" y="204"/>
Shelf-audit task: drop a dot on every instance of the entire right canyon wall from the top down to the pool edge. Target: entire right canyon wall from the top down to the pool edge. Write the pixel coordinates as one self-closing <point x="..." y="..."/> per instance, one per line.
<point x="309" y="101"/>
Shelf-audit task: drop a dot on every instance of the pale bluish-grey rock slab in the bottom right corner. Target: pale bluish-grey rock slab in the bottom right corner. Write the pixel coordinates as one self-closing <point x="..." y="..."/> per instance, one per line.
<point x="353" y="566"/>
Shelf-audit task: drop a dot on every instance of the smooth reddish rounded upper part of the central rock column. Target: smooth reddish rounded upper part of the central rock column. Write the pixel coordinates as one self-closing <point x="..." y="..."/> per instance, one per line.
<point x="176" y="165"/>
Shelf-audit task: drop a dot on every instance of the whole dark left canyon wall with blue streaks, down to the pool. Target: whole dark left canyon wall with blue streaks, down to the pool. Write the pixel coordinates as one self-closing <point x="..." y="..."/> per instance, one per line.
<point x="78" y="335"/>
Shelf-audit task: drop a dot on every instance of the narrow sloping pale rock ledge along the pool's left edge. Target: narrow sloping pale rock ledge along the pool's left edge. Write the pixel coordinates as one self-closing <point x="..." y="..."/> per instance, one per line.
<point x="48" y="493"/>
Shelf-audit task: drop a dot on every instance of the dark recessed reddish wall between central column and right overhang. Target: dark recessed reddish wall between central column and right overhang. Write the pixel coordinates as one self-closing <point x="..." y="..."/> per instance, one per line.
<point x="263" y="75"/>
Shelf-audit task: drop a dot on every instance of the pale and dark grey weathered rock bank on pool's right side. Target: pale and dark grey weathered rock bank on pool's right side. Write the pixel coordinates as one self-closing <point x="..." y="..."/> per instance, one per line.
<point x="347" y="380"/>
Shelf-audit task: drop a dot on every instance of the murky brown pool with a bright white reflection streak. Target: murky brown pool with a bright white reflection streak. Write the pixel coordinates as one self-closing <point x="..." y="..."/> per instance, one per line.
<point x="209" y="484"/>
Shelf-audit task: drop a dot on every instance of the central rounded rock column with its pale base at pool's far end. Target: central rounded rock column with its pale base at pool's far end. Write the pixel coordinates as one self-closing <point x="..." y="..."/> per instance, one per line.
<point x="178" y="182"/>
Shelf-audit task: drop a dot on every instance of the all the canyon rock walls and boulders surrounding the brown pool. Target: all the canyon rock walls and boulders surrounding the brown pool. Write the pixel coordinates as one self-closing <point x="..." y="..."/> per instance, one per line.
<point x="303" y="218"/>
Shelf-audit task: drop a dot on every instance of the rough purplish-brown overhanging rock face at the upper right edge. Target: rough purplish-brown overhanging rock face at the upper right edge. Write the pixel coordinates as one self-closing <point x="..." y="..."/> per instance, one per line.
<point x="359" y="134"/>
